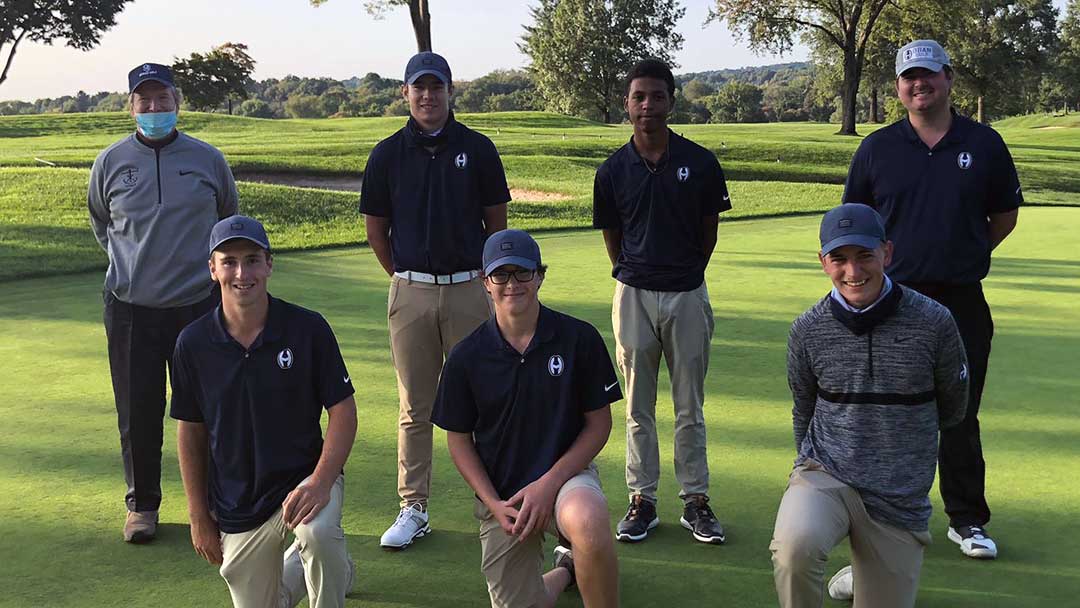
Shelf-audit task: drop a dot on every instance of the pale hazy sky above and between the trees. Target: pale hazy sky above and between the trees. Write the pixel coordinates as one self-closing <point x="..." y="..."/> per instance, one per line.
<point x="336" y="40"/>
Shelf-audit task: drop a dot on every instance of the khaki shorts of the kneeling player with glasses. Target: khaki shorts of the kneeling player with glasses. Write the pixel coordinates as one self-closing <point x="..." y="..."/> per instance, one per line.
<point x="515" y="571"/>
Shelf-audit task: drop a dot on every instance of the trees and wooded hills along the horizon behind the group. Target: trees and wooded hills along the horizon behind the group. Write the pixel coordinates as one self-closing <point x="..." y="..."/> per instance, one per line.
<point x="1011" y="57"/>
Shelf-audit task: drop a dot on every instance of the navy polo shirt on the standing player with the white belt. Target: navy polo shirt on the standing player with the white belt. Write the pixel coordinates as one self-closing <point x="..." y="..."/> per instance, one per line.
<point x="436" y="199"/>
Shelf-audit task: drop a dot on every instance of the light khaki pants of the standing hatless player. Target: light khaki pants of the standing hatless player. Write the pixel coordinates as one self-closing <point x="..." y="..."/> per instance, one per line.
<point x="680" y="327"/>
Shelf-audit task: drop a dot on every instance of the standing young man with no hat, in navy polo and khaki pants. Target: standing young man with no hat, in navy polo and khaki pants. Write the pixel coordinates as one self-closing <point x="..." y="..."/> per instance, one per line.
<point x="657" y="200"/>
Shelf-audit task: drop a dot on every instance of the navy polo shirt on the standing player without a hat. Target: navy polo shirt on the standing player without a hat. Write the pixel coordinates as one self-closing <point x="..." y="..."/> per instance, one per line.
<point x="660" y="212"/>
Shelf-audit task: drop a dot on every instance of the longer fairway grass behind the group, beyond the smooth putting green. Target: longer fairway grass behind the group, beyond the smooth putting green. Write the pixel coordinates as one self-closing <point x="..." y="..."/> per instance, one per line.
<point x="772" y="170"/>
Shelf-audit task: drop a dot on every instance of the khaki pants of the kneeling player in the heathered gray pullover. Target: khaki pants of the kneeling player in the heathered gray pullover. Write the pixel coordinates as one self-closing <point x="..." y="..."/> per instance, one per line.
<point x="816" y="514"/>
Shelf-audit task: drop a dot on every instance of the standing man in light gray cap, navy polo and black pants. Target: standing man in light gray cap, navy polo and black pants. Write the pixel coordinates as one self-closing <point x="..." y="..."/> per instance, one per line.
<point x="950" y="195"/>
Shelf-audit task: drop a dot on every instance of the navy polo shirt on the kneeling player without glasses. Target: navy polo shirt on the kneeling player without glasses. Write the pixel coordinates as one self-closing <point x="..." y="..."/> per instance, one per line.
<point x="262" y="407"/>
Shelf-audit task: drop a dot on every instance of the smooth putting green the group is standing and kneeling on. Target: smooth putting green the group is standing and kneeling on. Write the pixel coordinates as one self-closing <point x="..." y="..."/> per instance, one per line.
<point x="62" y="488"/>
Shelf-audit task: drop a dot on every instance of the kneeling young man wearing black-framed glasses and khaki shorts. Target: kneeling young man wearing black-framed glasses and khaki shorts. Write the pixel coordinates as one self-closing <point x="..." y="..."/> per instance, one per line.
<point x="525" y="401"/>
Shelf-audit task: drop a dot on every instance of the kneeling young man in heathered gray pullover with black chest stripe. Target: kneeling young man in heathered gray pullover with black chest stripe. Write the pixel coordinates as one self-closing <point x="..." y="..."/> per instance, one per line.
<point x="875" y="372"/>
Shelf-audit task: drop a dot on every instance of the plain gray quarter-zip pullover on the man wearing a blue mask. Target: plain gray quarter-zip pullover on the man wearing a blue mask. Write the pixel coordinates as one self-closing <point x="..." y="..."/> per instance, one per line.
<point x="153" y="211"/>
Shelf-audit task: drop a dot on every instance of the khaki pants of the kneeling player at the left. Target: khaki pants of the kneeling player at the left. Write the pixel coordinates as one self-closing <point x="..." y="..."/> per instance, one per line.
<point x="317" y="565"/>
